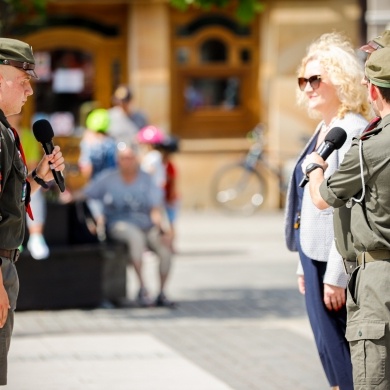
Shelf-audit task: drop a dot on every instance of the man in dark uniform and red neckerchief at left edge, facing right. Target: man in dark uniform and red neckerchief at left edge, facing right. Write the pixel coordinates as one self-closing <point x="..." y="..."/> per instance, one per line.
<point x="16" y="70"/>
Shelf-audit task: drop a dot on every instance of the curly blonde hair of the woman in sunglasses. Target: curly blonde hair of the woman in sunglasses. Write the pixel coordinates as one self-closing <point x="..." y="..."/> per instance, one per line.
<point x="338" y="59"/>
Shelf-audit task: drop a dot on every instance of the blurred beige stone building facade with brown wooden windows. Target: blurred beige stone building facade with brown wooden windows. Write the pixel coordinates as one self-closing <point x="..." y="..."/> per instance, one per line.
<point x="165" y="55"/>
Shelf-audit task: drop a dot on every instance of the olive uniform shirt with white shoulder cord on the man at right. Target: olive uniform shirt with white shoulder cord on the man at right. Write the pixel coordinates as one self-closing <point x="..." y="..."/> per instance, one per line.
<point x="370" y="218"/>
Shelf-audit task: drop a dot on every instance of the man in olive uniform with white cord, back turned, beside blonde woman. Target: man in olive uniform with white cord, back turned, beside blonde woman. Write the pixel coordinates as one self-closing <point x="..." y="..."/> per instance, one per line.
<point x="362" y="183"/>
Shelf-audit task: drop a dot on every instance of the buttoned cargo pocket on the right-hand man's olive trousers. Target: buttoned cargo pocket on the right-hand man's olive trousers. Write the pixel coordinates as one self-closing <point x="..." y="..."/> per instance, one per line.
<point x="368" y="351"/>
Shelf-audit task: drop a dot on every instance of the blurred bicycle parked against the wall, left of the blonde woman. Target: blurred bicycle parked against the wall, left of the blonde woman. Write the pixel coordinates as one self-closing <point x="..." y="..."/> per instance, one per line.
<point x="240" y="187"/>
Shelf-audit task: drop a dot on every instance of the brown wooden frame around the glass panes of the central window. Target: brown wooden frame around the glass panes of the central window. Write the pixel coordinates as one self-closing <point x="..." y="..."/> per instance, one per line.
<point x="215" y="122"/>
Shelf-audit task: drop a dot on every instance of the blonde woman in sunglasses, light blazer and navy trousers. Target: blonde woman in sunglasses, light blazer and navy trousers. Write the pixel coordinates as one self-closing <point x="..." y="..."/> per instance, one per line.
<point x="329" y="87"/>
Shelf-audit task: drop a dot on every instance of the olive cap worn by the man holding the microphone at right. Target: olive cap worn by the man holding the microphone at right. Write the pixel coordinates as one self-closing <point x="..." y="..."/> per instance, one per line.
<point x="378" y="67"/>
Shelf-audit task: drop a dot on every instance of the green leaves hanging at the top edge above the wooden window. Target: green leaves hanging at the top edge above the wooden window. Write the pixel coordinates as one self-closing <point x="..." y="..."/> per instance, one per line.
<point x="246" y="10"/>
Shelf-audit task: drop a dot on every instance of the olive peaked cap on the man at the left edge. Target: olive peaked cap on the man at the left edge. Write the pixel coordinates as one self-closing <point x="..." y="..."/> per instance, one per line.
<point x="18" y="54"/>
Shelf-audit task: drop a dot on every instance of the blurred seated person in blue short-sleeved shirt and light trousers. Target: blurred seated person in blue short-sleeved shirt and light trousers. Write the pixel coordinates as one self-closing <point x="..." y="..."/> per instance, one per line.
<point x="132" y="207"/>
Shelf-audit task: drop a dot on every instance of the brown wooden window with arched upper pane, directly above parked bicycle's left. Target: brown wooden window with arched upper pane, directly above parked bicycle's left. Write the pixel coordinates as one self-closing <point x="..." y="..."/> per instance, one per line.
<point x="214" y="76"/>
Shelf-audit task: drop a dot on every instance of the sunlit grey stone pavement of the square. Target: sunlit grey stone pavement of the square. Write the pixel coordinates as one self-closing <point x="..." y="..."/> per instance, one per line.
<point x="240" y="324"/>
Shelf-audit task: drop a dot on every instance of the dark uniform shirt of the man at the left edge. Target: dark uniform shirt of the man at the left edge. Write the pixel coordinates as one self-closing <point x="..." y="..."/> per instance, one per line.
<point x="13" y="191"/>
